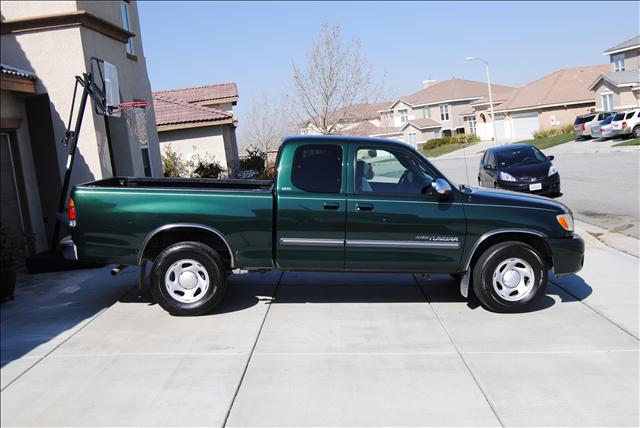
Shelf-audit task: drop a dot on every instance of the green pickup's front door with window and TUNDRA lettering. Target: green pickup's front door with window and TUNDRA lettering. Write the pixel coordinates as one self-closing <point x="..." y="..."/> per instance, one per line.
<point x="391" y="224"/>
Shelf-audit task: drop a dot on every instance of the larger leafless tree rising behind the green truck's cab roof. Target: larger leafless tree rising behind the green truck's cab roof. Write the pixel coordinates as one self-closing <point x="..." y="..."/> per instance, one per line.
<point x="335" y="78"/>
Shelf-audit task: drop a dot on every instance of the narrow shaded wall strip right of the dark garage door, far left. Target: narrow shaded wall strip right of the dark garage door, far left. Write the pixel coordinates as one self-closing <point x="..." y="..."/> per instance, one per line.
<point x="12" y="106"/>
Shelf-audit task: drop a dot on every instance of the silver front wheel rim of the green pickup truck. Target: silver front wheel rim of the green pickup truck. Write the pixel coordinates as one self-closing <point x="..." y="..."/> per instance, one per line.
<point x="513" y="279"/>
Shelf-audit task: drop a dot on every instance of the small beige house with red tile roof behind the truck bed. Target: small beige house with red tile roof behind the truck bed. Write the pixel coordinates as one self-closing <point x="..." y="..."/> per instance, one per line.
<point x="199" y="121"/>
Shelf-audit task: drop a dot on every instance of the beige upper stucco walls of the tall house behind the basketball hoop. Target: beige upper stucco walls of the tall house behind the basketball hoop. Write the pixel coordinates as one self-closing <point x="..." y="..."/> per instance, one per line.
<point x="56" y="56"/>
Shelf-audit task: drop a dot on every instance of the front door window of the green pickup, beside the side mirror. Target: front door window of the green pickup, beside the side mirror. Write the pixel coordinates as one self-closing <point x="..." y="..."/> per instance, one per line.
<point x="390" y="171"/>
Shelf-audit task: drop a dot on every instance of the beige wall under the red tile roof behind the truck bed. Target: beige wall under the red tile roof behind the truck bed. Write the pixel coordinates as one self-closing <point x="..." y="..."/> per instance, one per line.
<point x="204" y="141"/>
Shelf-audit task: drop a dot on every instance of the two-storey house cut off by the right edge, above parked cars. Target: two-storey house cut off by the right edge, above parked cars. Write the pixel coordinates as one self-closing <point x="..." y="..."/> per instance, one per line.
<point x="619" y="87"/>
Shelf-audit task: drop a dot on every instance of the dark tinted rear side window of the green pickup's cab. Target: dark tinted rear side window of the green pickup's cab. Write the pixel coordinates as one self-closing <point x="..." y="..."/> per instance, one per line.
<point x="318" y="168"/>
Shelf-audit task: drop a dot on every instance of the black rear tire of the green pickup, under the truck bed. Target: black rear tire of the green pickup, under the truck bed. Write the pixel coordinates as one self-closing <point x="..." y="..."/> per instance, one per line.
<point x="209" y="267"/>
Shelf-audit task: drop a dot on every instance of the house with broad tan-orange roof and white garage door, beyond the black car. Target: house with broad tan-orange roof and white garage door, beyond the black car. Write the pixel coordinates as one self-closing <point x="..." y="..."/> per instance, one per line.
<point x="552" y="101"/>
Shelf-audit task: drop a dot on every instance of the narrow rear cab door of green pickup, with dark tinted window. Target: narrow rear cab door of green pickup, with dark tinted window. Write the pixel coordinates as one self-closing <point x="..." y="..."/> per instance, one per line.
<point x="311" y="206"/>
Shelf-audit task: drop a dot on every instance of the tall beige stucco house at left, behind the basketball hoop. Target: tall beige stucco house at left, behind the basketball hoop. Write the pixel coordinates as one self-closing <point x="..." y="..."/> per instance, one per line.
<point x="44" y="45"/>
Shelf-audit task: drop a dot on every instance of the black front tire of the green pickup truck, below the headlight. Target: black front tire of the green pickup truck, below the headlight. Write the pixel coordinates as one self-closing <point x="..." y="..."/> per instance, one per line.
<point x="495" y="257"/>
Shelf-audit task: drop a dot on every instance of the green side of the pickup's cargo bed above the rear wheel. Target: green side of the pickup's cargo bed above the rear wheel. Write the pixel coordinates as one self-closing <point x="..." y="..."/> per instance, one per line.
<point x="117" y="215"/>
